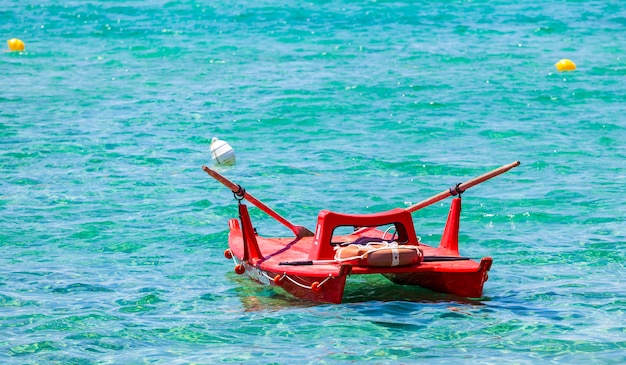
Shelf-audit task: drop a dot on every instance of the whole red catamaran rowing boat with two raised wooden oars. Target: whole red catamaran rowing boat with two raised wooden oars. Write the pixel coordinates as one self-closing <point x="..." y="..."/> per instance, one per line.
<point x="315" y="265"/>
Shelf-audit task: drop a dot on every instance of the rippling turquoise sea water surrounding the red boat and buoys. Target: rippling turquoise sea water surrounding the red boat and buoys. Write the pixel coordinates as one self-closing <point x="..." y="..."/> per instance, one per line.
<point x="112" y="236"/>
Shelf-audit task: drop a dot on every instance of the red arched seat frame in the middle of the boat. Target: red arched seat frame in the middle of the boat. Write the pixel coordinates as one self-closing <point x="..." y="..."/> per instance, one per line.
<point x="327" y="221"/>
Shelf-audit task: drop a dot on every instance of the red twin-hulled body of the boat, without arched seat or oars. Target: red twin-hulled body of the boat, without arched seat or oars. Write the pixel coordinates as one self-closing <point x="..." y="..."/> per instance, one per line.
<point x="325" y="281"/>
